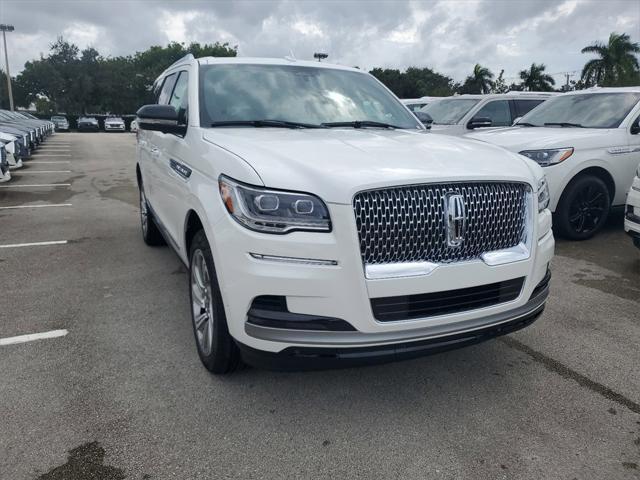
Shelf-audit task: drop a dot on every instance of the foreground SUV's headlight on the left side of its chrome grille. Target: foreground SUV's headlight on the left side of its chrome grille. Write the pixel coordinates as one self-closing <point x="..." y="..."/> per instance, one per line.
<point x="273" y="211"/>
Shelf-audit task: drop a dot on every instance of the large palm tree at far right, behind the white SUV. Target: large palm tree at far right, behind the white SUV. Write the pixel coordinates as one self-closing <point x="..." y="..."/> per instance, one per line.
<point x="617" y="63"/>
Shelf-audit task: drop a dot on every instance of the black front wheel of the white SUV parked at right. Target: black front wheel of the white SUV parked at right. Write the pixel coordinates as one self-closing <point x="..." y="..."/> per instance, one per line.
<point x="583" y="208"/>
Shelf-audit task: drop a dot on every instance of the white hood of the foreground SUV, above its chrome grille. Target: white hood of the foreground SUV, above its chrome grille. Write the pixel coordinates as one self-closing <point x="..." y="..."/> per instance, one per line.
<point x="337" y="163"/>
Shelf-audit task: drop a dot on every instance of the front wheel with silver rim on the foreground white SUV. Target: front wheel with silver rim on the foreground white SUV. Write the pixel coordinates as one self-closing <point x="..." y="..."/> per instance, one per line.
<point x="216" y="348"/>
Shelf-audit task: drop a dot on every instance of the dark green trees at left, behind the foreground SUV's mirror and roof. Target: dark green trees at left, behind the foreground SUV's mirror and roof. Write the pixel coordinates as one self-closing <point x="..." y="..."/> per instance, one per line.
<point x="79" y="82"/>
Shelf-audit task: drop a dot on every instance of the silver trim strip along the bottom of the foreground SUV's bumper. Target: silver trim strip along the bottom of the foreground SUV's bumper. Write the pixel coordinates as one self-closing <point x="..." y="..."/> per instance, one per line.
<point x="356" y="339"/>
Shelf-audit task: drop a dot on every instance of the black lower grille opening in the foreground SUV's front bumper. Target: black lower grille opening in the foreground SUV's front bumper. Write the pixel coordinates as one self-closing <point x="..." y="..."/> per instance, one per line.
<point x="407" y="307"/>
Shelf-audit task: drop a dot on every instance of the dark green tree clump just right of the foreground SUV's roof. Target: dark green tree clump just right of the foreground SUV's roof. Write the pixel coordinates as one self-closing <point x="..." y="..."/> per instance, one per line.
<point x="415" y="82"/>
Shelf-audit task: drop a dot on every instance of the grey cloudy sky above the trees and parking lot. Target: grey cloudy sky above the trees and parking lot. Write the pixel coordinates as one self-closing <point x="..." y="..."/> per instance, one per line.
<point x="447" y="35"/>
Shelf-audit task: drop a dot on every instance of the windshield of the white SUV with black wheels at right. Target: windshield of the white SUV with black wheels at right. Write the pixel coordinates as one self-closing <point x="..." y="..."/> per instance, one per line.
<point x="589" y="110"/>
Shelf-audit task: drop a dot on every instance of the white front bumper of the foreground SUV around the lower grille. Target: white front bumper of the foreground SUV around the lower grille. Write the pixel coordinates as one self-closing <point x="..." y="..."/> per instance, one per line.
<point x="341" y="291"/>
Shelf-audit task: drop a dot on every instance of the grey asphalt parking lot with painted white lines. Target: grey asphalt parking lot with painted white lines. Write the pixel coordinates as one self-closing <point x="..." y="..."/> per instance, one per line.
<point x="123" y="394"/>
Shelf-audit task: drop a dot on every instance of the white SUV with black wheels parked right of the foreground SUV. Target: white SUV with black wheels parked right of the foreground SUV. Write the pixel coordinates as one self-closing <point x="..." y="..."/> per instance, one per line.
<point x="588" y="142"/>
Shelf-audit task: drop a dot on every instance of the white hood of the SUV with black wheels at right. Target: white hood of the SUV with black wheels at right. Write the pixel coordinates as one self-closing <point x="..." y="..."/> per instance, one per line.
<point x="517" y="139"/>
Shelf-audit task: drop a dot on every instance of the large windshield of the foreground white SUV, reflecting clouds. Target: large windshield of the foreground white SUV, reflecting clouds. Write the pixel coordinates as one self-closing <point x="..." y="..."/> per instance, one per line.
<point x="293" y="93"/>
